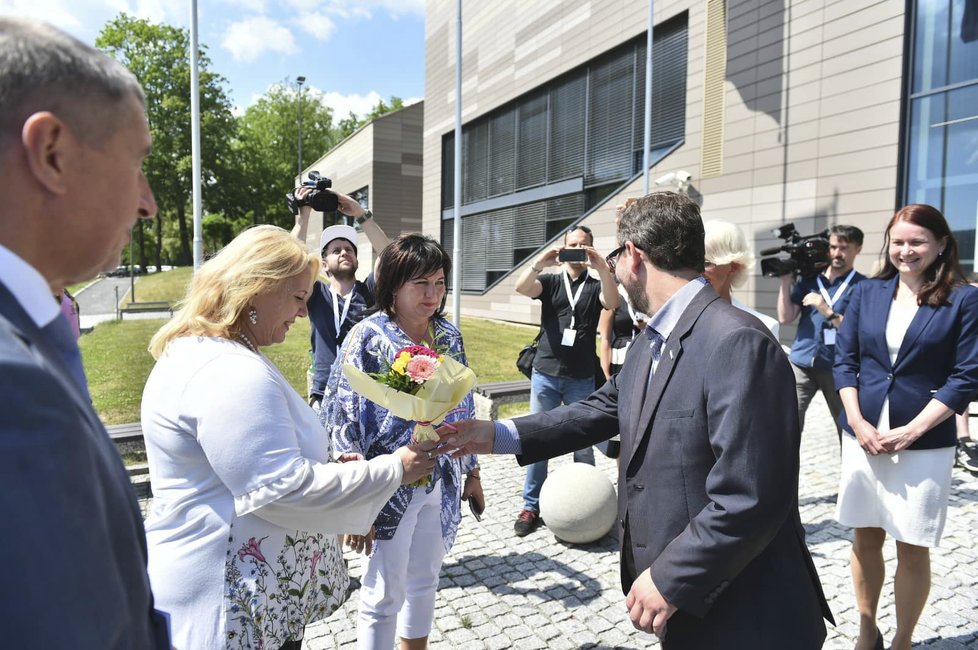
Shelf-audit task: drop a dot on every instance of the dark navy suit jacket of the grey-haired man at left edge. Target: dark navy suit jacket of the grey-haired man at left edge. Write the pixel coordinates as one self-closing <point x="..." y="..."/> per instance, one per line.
<point x="74" y="548"/>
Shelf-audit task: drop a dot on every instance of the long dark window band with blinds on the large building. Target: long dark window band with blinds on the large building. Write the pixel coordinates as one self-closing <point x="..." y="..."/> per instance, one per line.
<point x="584" y="126"/>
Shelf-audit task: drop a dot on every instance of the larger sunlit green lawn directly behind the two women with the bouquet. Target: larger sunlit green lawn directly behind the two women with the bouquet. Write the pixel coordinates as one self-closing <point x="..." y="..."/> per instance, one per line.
<point x="118" y="363"/>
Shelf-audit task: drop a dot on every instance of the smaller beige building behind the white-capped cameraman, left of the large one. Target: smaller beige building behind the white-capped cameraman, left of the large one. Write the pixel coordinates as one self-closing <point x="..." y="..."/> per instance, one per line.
<point x="379" y="165"/>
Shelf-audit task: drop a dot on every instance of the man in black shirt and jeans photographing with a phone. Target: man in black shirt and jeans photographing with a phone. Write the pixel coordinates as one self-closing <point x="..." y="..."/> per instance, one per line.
<point x="565" y="363"/>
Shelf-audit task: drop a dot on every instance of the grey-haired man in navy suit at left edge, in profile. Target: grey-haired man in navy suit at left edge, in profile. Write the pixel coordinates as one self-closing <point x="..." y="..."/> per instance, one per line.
<point x="73" y="136"/>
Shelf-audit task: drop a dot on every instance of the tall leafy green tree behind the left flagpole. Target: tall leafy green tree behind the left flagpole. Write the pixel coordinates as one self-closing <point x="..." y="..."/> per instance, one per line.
<point x="159" y="57"/>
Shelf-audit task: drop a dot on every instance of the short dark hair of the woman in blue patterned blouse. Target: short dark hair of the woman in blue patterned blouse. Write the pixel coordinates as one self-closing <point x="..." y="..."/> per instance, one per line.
<point x="406" y="258"/>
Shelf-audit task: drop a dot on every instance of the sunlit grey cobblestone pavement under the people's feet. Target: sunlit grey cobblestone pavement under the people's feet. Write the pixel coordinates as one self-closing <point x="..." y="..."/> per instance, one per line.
<point x="499" y="591"/>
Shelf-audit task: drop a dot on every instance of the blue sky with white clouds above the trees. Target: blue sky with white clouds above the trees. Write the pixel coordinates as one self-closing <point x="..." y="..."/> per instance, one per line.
<point x="353" y="52"/>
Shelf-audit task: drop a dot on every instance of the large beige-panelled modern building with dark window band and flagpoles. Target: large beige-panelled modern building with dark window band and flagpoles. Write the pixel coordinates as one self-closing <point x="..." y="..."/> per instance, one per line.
<point x="813" y="112"/>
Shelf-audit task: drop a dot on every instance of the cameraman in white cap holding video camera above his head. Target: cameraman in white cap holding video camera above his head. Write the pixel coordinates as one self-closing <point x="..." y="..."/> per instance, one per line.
<point x="336" y="305"/>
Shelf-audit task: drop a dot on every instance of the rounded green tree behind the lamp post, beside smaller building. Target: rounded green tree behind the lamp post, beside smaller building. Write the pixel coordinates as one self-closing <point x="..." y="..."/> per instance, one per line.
<point x="267" y="147"/>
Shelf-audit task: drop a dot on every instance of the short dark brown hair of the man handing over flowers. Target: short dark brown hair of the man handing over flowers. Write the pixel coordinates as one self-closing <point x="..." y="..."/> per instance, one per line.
<point x="668" y="227"/>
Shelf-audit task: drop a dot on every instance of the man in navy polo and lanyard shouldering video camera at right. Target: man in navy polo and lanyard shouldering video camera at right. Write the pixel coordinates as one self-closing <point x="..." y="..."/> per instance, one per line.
<point x="820" y="299"/>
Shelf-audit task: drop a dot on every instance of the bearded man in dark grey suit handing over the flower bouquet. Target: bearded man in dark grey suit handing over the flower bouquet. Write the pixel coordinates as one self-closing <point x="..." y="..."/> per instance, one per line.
<point x="713" y="551"/>
